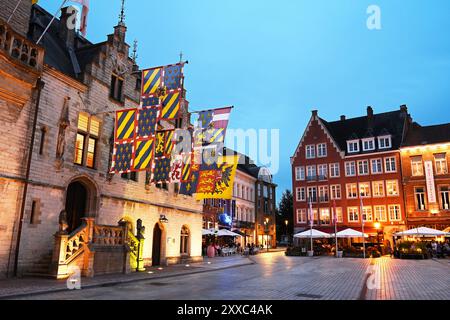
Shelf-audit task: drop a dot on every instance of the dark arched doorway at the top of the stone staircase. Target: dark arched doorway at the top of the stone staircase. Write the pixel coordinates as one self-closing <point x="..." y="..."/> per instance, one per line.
<point x="76" y="205"/>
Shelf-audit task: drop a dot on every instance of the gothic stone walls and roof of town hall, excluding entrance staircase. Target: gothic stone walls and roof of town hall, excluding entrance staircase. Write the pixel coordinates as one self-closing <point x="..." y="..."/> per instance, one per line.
<point x="76" y="93"/>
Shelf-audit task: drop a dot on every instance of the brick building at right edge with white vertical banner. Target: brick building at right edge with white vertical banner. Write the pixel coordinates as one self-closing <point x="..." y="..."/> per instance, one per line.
<point x="425" y="155"/>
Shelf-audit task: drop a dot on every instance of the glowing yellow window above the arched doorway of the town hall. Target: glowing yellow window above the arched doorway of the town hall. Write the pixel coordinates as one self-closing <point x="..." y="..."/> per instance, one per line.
<point x="86" y="140"/>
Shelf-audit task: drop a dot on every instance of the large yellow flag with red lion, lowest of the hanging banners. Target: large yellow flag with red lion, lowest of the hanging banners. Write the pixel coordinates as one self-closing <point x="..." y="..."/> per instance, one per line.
<point x="218" y="181"/>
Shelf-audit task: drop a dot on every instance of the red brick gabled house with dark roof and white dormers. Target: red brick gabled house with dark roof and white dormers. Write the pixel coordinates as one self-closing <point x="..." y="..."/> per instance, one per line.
<point x="351" y="166"/>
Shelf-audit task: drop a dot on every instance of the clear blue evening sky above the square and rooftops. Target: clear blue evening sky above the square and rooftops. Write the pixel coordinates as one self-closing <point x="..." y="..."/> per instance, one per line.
<point x="275" y="61"/>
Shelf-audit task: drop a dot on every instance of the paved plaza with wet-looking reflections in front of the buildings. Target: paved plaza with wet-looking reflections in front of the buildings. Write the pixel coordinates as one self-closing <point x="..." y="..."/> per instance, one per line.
<point x="276" y="277"/>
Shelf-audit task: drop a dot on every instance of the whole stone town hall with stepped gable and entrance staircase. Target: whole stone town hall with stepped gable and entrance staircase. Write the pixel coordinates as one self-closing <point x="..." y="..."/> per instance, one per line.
<point x="58" y="97"/>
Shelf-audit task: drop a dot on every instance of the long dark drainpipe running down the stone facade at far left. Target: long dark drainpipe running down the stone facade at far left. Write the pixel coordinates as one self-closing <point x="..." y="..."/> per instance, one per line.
<point x="39" y="86"/>
